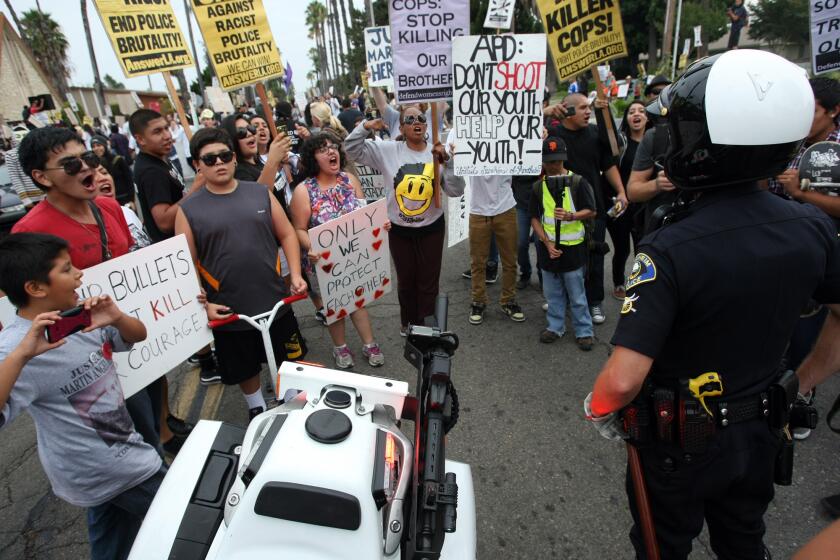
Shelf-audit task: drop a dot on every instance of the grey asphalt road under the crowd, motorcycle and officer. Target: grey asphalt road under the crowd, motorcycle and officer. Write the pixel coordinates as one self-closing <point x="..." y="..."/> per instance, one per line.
<point x="547" y="485"/>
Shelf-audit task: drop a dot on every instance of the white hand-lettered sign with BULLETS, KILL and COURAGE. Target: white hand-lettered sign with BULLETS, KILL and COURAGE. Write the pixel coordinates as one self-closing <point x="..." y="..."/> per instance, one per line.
<point x="157" y="285"/>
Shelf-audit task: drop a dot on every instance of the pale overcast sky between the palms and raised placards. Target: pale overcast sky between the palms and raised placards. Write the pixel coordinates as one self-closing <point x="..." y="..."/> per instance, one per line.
<point x="286" y="17"/>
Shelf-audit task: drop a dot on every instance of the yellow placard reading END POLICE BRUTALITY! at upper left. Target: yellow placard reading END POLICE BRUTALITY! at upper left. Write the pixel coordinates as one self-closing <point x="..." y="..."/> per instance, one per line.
<point x="145" y="35"/>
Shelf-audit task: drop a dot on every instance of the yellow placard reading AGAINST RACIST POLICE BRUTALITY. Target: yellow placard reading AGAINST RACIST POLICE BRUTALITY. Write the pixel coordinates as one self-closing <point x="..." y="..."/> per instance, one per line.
<point x="239" y="41"/>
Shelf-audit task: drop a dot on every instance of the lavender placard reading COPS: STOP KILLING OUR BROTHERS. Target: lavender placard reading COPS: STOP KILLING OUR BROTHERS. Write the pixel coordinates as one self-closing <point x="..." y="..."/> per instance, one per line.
<point x="421" y="44"/>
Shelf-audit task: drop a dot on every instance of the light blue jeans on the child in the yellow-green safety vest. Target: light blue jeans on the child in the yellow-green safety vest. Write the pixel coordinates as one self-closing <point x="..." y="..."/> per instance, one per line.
<point x="558" y="285"/>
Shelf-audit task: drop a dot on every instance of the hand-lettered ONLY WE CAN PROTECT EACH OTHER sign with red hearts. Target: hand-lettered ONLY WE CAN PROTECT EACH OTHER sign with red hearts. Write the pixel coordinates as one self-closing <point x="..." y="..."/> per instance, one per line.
<point x="354" y="263"/>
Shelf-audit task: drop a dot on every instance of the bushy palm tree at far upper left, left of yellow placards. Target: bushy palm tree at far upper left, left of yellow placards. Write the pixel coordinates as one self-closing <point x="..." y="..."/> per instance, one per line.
<point x="49" y="46"/>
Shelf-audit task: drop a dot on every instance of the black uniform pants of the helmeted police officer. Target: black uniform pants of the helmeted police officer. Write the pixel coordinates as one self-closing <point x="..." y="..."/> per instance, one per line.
<point x="729" y="486"/>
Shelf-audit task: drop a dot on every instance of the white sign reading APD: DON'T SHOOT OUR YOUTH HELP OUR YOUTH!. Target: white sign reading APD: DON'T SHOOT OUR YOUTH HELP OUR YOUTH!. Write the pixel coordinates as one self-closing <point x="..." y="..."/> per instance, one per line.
<point x="498" y="113"/>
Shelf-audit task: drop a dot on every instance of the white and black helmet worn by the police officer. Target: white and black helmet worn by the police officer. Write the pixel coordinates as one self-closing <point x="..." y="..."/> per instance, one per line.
<point x="734" y="117"/>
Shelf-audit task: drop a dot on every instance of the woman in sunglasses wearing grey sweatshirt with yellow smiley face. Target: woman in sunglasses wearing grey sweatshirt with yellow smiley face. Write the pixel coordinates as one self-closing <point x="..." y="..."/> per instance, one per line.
<point x="418" y="229"/>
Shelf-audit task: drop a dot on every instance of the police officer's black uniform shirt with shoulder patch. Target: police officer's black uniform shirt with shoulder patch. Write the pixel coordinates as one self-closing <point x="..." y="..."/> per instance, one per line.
<point x="722" y="289"/>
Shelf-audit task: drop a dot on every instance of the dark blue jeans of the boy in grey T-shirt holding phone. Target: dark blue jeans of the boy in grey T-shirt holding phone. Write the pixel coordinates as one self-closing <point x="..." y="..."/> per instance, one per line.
<point x="113" y="526"/>
